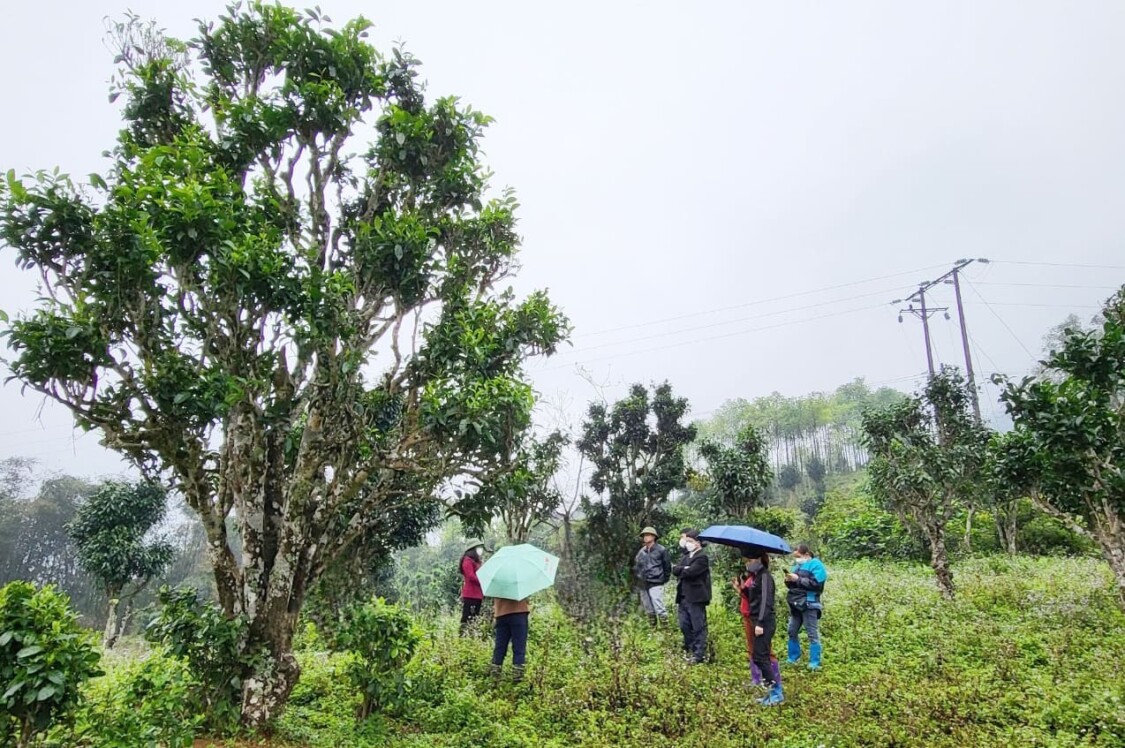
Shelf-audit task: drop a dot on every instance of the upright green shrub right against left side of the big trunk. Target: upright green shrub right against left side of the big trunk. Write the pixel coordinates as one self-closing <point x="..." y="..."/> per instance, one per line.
<point x="211" y="644"/>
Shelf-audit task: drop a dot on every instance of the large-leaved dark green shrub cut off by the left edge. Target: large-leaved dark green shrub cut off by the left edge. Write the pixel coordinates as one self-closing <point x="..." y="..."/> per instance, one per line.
<point x="44" y="660"/>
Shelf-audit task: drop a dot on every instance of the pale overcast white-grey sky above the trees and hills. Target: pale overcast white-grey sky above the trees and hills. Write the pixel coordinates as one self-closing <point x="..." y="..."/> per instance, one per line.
<point x="727" y="196"/>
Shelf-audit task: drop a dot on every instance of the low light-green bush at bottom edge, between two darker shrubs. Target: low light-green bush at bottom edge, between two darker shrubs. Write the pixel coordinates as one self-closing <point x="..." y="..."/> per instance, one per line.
<point x="140" y="705"/>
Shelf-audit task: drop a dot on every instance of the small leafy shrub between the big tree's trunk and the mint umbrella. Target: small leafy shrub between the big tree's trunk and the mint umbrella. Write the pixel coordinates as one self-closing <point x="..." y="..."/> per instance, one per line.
<point x="382" y="638"/>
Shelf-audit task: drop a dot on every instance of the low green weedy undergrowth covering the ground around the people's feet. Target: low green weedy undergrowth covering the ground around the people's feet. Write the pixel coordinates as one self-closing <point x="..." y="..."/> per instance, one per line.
<point x="1029" y="655"/>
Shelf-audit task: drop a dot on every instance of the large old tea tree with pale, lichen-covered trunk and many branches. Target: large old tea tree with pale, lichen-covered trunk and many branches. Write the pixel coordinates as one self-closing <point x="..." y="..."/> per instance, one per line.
<point x="283" y="299"/>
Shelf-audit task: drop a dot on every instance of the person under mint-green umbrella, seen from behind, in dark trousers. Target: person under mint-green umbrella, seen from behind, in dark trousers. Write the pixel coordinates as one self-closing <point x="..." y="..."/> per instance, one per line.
<point x="511" y="576"/>
